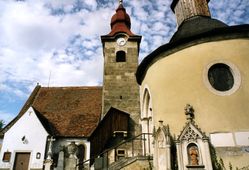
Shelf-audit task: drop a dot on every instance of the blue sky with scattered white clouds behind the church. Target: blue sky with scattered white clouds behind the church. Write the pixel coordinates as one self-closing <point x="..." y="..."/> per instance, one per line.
<point x="57" y="42"/>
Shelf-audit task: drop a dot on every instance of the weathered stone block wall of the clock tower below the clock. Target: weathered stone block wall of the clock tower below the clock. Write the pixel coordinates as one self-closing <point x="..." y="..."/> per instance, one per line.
<point x="120" y="89"/>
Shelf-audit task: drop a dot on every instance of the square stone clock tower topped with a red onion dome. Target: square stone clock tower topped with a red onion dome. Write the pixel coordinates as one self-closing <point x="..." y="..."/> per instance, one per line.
<point x="121" y="50"/>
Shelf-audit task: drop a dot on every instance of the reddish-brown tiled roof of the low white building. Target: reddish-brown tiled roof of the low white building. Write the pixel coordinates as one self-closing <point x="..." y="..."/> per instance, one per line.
<point x="67" y="111"/>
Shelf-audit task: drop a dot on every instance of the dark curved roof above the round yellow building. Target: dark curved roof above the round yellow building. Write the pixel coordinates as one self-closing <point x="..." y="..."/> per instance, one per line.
<point x="184" y="39"/>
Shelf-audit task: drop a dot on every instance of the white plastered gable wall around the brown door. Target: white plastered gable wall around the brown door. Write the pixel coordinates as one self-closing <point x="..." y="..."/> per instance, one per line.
<point x="30" y="127"/>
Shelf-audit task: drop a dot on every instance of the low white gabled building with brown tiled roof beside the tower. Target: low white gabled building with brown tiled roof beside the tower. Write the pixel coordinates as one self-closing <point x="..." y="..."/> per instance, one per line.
<point x="52" y="129"/>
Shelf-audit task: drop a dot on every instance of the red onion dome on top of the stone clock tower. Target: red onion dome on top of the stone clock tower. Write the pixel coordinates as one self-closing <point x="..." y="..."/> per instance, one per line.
<point x="120" y="22"/>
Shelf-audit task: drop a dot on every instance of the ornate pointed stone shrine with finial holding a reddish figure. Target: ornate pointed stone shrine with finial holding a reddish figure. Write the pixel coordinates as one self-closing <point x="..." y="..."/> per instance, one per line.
<point x="193" y="145"/>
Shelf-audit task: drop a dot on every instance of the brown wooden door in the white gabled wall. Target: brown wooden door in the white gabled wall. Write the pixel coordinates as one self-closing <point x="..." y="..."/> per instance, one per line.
<point x="21" y="161"/>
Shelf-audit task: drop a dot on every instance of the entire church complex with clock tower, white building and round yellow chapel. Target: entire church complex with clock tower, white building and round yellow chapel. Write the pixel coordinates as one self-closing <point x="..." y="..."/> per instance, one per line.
<point x="184" y="107"/>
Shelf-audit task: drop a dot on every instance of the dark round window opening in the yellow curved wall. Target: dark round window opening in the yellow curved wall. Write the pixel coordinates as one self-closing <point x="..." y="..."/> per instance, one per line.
<point x="220" y="77"/>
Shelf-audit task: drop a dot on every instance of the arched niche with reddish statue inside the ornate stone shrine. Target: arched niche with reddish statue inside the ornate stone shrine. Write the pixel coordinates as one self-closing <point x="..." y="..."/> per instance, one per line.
<point x="193" y="154"/>
